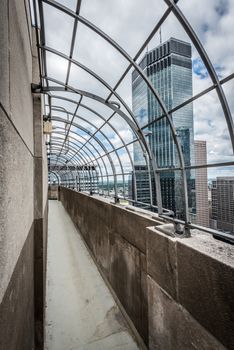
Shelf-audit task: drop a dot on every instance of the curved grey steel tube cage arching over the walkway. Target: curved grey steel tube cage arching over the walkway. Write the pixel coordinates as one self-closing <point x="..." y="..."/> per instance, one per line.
<point x="217" y="85"/>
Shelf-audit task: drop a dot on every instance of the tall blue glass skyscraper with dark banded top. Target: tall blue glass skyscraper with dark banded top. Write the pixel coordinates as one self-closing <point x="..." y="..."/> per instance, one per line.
<point x="169" y="67"/>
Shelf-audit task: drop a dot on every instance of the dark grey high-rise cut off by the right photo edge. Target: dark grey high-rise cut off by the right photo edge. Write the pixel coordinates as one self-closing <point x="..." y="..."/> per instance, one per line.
<point x="223" y="203"/>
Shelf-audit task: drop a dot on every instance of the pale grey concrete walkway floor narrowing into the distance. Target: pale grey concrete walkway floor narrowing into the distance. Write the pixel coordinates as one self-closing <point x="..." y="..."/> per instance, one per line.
<point x="81" y="312"/>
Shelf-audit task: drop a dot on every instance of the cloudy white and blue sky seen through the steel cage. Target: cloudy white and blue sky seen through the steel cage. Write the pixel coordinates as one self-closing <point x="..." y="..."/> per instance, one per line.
<point x="129" y="23"/>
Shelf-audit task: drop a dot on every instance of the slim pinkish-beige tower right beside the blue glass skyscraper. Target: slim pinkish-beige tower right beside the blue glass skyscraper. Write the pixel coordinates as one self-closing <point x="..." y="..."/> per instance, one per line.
<point x="201" y="184"/>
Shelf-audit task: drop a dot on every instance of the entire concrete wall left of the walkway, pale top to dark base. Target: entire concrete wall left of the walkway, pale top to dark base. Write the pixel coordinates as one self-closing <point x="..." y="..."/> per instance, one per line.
<point x="18" y="166"/>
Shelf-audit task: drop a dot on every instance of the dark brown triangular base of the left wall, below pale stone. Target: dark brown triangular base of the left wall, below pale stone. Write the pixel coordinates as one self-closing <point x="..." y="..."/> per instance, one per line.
<point x="17" y="307"/>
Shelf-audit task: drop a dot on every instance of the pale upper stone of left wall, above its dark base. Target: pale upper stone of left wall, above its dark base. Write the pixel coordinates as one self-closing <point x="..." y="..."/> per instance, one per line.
<point x="16" y="129"/>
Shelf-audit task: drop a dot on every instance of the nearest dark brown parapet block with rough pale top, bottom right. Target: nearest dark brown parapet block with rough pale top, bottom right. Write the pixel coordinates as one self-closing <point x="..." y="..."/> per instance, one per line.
<point x="206" y="284"/>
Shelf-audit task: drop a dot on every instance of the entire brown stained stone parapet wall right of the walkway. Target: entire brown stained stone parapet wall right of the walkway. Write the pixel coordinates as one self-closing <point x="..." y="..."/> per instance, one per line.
<point x="177" y="292"/>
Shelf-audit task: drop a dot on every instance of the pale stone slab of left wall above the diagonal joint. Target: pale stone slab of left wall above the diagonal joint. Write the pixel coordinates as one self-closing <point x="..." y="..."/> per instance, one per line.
<point x="20" y="67"/>
